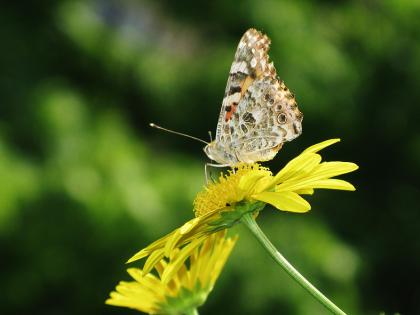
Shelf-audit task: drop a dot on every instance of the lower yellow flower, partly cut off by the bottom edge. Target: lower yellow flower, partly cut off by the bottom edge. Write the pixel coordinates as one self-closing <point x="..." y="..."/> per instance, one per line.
<point x="178" y="292"/>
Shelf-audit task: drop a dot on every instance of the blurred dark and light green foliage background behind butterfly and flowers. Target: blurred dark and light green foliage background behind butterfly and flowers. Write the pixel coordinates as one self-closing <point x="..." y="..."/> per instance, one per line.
<point x="84" y="182"/>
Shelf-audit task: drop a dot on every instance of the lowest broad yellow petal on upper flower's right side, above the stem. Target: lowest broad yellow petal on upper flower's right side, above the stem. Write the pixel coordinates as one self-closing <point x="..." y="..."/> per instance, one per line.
<point x="286" y="201"/>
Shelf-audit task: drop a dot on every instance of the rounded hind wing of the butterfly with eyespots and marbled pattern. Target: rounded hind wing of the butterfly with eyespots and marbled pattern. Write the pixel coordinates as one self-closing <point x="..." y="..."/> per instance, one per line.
<point x="268" y="116"/>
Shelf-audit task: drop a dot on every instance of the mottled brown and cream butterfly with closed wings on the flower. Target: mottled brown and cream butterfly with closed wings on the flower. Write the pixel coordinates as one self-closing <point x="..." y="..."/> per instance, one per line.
<point x="259" y="113"/>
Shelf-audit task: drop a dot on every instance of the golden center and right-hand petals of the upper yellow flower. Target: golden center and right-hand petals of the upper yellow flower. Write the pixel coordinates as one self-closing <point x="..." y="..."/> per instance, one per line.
<point x="253" y="182"/>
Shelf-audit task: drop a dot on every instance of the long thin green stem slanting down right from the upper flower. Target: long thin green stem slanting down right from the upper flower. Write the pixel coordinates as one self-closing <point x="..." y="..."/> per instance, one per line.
<point x="250" y="223"/>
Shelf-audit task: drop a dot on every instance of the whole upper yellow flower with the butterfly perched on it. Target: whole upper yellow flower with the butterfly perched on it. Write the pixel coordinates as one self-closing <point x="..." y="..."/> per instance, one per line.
<point x="247" y="189"/>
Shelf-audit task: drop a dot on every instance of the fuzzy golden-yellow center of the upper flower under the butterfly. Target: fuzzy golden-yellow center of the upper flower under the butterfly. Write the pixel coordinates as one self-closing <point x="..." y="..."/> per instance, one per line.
<point x="225" y="191"/>
